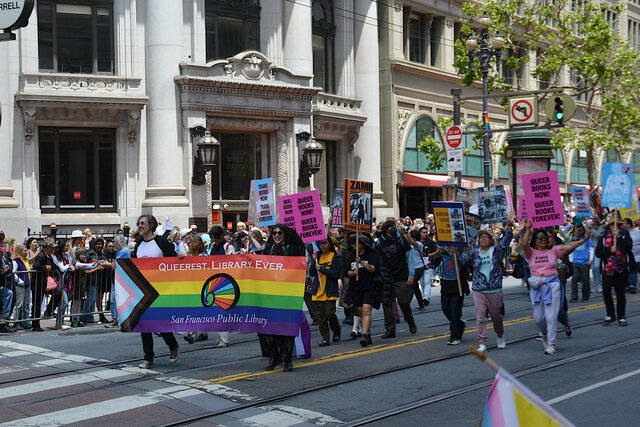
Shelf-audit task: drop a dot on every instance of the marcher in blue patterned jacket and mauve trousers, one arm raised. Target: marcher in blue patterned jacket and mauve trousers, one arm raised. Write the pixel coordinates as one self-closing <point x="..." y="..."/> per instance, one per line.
<point x="486" y="263"/>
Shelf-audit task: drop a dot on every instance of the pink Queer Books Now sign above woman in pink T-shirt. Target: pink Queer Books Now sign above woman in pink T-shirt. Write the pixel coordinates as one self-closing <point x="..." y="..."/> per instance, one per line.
<point x="542" y="194"/>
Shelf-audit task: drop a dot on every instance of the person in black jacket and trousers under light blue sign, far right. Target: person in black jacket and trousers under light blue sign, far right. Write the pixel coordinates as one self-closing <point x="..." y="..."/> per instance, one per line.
<point x="616" y="258"/>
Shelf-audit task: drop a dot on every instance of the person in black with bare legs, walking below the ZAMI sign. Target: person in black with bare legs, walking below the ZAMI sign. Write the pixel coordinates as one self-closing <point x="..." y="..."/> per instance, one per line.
<point x="362" y="269"/>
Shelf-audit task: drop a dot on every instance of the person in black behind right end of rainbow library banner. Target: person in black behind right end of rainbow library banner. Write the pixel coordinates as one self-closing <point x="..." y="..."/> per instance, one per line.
<point x="283" y="241"/>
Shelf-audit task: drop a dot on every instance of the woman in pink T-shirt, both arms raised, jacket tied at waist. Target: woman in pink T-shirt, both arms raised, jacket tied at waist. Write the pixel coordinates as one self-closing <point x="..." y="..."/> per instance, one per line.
<point x="545" y="288"/>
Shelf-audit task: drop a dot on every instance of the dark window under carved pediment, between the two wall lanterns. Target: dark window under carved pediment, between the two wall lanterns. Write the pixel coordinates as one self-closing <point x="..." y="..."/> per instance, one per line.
<point x="239" y="161"/>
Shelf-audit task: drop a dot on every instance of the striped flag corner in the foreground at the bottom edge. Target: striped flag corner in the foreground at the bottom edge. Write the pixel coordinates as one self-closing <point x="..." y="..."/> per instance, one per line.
<point x="511" y="404"/>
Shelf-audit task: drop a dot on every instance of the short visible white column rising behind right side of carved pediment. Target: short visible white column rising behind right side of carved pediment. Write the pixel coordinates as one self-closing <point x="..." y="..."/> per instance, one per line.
<point x="298" y="55"/>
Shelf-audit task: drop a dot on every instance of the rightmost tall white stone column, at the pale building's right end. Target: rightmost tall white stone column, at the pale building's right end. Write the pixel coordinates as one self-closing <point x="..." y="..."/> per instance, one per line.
<point x="367" y="148"/>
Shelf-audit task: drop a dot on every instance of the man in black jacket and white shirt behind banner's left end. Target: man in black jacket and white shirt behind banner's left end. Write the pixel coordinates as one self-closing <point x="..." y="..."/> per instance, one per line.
<point x="150" y="245"/>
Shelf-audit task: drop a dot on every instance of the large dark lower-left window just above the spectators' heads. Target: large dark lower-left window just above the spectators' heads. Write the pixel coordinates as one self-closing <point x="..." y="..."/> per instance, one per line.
<point x="77" y="170"/>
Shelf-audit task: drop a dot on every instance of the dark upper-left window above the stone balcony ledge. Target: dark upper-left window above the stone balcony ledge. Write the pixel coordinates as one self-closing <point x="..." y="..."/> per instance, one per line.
<point x="76" y="38"/>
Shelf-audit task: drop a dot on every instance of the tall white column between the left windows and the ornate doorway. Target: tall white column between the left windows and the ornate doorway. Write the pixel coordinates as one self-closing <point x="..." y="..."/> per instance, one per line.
<point x="164" y="51"/>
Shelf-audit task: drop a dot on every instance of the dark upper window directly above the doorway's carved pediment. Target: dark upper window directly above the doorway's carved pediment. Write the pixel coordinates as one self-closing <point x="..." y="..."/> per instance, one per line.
<point x="231" y="27"/>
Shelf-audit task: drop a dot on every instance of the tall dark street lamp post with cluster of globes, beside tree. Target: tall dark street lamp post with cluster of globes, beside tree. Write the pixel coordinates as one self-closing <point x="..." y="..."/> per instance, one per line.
<point x="484" y="55"/>
